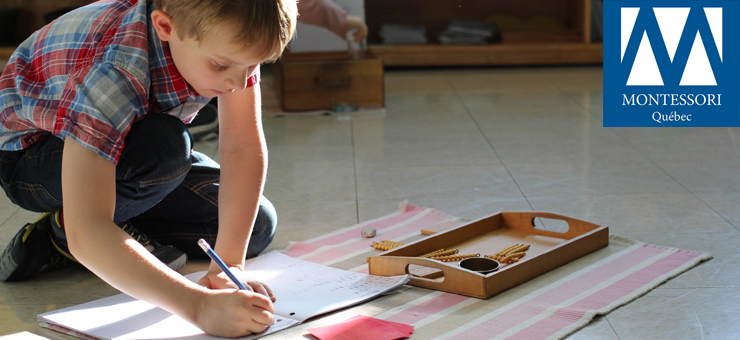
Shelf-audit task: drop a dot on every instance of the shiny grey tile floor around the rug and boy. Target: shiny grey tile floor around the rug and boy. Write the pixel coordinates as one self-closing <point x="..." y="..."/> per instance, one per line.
<point x="472" y="142"/>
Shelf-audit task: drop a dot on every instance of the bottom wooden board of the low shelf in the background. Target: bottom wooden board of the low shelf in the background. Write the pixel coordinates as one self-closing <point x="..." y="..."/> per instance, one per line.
<point x="495" y="54"/>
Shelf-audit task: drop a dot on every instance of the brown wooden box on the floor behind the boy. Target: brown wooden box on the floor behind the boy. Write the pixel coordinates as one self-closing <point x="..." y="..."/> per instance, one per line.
<point x="320" y="80"/>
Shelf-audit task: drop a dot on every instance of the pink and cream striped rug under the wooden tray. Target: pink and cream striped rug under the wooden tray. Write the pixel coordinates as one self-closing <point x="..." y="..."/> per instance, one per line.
<point x="551" y="306"/>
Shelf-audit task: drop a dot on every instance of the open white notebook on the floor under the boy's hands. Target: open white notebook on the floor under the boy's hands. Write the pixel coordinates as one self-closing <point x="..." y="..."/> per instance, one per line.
<point x="303" y="289"/>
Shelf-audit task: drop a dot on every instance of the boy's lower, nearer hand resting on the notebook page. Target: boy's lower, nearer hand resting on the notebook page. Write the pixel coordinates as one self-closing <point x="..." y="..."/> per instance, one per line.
<point x="234" y="313"/>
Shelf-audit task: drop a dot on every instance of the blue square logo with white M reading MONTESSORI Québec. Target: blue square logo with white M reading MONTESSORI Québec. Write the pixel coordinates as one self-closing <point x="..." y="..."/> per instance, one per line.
<point x="671" y="63"/>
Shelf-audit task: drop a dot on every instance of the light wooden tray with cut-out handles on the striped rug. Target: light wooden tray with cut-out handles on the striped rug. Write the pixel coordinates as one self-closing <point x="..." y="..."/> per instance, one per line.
<point x="548" y="250"/>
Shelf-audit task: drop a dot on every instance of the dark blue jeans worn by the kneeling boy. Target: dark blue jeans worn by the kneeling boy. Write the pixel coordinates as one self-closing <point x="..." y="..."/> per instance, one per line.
<point x="168" y="191"/>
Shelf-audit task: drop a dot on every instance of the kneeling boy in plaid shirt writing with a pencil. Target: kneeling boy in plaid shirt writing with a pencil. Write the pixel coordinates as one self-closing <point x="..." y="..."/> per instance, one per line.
<point x="92" y="108"/>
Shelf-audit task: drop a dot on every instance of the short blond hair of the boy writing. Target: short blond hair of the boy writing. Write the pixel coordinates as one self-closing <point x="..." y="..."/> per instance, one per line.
<point x="269" y="24"/>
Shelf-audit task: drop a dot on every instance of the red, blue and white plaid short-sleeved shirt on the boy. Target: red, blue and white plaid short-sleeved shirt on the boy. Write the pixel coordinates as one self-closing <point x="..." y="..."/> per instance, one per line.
<point x="89" y="75"/>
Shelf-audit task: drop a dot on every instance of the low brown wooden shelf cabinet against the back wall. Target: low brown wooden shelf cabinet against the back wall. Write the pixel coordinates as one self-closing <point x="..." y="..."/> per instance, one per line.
<point x="570" y="44"/>
